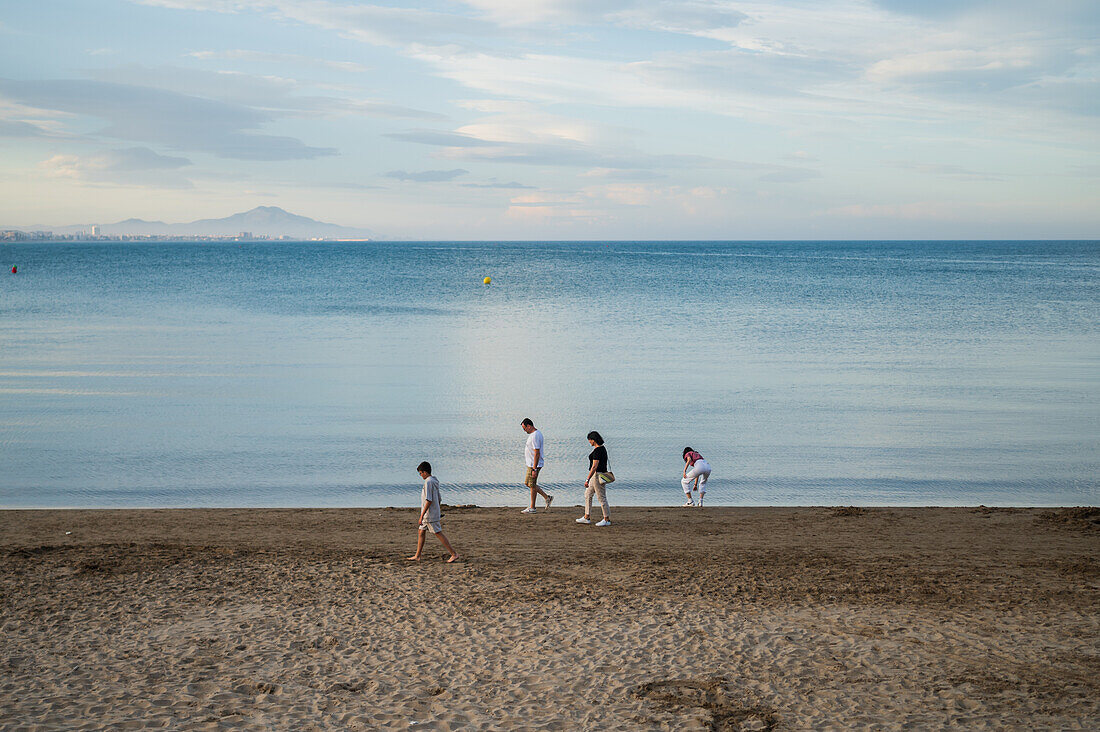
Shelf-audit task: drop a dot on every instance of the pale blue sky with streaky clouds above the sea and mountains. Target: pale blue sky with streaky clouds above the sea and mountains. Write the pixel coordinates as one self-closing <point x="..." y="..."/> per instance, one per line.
<point x="559" y="119"/>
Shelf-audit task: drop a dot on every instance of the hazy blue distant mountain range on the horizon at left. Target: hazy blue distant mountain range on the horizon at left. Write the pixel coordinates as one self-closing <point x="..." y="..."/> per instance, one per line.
<point x="261" y="222"/>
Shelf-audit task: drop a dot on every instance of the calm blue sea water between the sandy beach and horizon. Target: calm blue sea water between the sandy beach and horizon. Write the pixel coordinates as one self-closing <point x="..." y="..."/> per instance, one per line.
<point x="320" y="375"/>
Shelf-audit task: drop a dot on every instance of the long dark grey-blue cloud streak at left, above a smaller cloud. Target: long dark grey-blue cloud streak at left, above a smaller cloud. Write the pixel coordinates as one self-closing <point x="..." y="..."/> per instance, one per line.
<point x="168" y="118"/>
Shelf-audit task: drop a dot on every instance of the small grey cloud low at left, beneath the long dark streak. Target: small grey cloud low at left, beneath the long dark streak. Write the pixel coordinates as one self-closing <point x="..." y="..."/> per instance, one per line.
<point x="128" y="167"/>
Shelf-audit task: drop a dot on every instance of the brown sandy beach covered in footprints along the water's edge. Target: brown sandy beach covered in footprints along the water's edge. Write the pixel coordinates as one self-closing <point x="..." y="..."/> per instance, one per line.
<point x="674" y="619"/>
